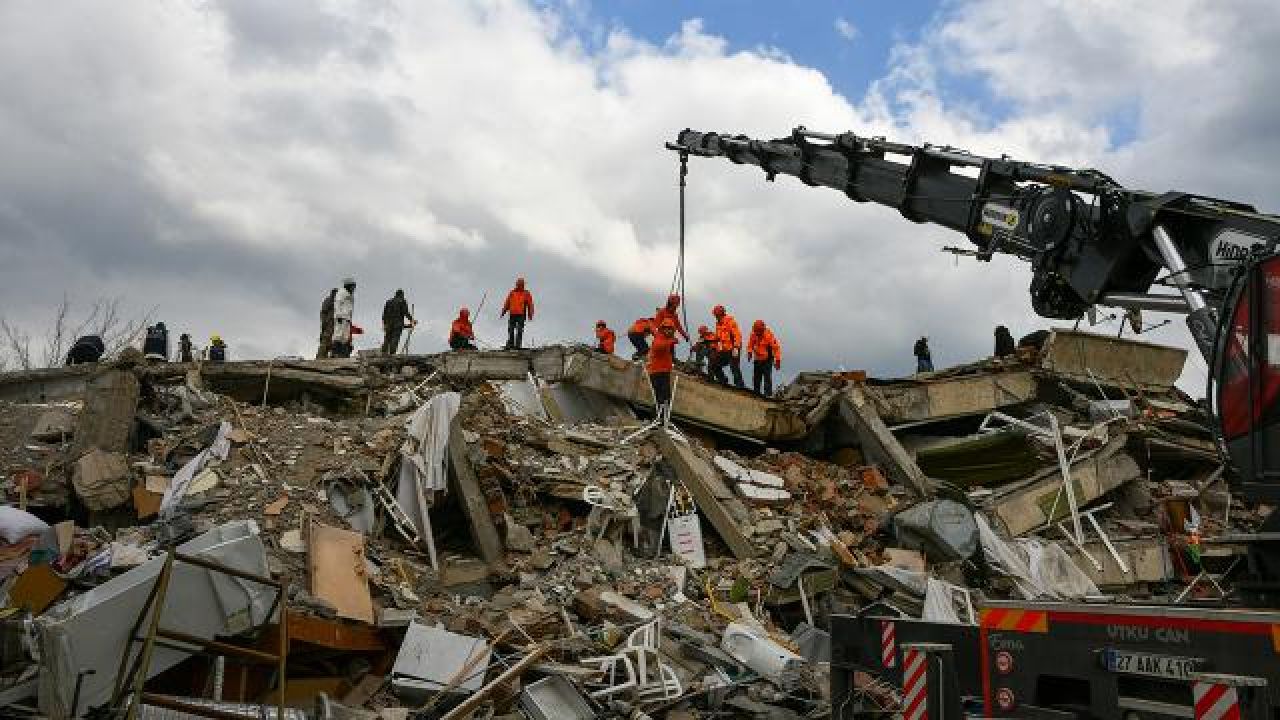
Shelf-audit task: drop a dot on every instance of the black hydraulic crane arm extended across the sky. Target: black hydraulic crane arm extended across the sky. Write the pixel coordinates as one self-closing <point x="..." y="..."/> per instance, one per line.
<point x="1089" y="239"/>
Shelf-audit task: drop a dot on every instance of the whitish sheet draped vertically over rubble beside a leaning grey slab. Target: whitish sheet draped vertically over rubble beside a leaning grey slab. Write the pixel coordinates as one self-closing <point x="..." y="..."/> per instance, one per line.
<point x="426" y="457"/>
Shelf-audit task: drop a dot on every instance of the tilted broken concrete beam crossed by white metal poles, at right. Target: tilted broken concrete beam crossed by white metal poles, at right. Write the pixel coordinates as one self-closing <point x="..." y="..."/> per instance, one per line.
<point x="1026" y="507"/>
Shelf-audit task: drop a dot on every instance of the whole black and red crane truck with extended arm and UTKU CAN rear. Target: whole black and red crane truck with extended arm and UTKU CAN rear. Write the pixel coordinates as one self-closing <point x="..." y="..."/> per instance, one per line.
<point x="1090" y="241"/>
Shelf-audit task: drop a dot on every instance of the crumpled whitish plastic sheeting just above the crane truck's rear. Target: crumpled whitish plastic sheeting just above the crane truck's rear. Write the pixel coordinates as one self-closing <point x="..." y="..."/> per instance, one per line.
<point x="1040" y="569"/>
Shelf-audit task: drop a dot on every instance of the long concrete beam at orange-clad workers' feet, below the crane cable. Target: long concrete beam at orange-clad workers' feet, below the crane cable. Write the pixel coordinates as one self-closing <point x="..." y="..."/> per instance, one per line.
<point x="696" y="400"/>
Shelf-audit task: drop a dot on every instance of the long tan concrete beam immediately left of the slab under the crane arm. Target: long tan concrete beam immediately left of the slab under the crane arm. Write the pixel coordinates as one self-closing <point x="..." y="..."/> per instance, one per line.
<point x="950" y="398"/>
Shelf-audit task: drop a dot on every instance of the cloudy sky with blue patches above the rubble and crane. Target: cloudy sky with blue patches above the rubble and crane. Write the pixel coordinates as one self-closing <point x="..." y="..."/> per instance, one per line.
<point x="226" y="163"/>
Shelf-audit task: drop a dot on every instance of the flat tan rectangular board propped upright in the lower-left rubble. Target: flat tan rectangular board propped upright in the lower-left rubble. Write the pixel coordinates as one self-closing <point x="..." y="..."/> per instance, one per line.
<point x="336" y="562"/>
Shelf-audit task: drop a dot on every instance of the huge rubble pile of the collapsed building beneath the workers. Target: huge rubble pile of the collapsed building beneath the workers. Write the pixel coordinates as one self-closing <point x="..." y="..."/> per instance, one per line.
<point x="463" y="543"/>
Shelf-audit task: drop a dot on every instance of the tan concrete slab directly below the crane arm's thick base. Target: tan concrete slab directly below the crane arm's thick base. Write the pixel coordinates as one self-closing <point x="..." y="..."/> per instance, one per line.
<point x="1113" y="362"/>
